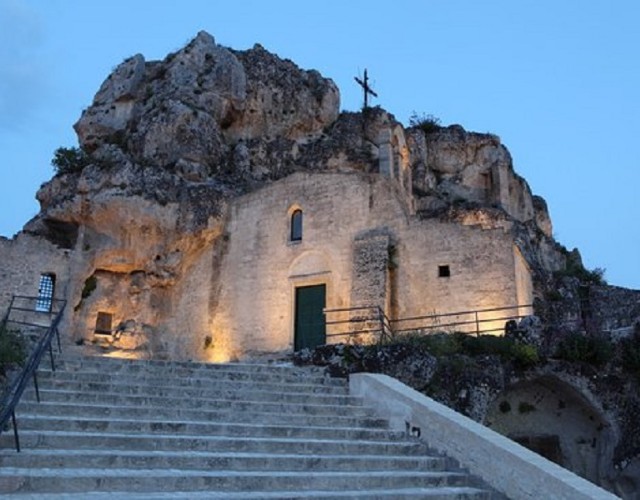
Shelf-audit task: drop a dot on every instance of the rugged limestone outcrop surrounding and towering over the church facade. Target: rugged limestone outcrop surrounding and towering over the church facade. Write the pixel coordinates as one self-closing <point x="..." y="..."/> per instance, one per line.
<point x="169" y="144"/>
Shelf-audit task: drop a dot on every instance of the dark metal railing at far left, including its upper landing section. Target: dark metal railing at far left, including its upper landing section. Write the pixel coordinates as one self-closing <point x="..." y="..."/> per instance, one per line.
<point x="21" y="313"/>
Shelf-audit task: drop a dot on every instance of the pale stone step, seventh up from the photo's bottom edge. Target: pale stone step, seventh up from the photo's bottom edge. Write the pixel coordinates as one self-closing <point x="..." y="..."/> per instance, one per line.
<point x="114" y="398"/>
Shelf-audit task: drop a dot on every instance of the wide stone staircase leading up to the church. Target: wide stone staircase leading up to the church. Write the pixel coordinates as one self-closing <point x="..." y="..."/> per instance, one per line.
<point x="109" y="428"/>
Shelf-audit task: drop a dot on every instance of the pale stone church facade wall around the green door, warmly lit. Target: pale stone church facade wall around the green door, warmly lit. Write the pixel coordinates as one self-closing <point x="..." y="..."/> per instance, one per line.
<point x="352" y="224"/>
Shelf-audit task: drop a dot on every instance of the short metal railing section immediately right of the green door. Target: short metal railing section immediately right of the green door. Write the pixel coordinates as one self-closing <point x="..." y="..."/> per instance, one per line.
<point x="358" y="322"/>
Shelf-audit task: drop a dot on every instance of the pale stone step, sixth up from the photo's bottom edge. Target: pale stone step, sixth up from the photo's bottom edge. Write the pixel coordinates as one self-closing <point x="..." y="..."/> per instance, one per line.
<point x="48" y="408"/>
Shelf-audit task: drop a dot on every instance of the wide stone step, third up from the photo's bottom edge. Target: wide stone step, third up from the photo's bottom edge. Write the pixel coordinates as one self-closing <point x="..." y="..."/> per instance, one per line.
<point x="137" y="459"/>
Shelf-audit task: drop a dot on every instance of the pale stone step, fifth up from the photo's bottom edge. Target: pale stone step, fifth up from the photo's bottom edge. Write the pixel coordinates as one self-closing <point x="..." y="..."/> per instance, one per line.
<point x="204" y="428"/>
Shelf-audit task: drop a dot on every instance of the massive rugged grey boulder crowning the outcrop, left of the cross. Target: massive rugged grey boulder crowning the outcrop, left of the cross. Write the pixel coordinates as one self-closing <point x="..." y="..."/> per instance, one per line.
<point x="193" y="106"/>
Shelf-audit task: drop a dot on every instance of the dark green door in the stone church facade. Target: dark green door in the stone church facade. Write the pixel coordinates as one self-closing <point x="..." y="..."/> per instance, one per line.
<point x="309" y="317"/>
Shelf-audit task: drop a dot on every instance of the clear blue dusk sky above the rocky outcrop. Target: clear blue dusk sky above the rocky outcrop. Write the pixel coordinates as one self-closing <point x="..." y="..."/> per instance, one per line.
<point x="557" y="81"/>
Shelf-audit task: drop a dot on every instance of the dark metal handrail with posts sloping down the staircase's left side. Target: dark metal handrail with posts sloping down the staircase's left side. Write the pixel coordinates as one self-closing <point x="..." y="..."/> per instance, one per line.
<point x="11" y="396"/>
